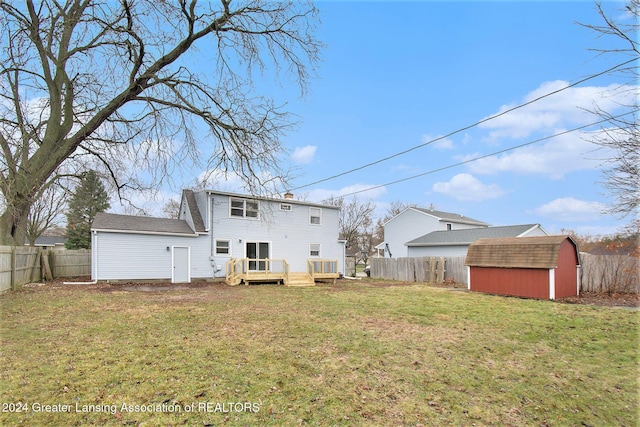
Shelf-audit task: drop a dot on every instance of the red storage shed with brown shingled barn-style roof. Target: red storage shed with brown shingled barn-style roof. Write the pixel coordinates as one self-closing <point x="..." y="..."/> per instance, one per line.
<point x="544" y="267"/>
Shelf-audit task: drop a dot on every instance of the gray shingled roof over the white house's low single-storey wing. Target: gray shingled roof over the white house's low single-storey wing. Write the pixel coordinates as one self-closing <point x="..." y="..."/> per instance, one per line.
<point x="145" y="224"/>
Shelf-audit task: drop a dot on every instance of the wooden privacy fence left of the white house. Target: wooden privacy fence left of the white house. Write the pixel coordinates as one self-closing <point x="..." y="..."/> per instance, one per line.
<point x="25" y="264"/>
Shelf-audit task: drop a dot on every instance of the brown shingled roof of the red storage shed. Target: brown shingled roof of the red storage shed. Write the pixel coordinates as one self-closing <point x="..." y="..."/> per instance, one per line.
<point x="518" y="252"/>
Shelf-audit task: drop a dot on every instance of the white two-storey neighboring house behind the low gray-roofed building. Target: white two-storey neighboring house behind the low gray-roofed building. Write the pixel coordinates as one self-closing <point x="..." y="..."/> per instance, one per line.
<point x="414" y="222"/>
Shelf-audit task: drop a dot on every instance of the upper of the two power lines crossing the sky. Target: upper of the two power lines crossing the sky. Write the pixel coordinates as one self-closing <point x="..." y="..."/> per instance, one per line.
<point x="400" y="153"/>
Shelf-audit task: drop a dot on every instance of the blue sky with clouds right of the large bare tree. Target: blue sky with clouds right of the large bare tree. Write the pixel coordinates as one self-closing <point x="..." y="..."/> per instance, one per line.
<point x="395" y="75"/>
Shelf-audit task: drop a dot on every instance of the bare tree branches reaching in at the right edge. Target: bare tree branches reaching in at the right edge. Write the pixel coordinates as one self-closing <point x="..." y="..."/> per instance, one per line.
<point x="621" y="136"/>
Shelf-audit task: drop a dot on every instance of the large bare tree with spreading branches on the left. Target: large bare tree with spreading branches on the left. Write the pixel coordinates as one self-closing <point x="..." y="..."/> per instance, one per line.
<point x="112" y="84"/>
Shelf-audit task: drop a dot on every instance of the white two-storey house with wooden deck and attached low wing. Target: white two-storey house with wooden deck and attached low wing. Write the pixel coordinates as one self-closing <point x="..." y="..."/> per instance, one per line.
<point x="222" y="235"/>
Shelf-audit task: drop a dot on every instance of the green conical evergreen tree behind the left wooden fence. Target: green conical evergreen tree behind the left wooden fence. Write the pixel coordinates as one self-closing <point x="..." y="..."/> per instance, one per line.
<point x="89" y="198"/>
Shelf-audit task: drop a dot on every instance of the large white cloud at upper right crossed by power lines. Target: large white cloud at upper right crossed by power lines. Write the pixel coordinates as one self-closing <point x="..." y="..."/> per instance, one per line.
<point x="568" y="108"/>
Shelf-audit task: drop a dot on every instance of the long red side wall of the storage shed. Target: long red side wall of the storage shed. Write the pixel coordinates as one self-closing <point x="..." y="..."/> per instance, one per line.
<point x="521" y="282"/>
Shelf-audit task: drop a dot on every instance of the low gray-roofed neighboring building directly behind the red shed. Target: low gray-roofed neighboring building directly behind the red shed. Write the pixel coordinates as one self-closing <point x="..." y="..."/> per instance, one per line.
<point x="454" y="243"/>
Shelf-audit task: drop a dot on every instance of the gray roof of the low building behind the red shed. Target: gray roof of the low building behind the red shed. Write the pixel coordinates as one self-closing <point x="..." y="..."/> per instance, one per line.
<point x="469" y="235"/>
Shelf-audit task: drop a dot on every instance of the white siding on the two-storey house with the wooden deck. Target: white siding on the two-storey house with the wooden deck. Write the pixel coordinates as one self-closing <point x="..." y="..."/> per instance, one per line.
<point x="122" y="256"/>
